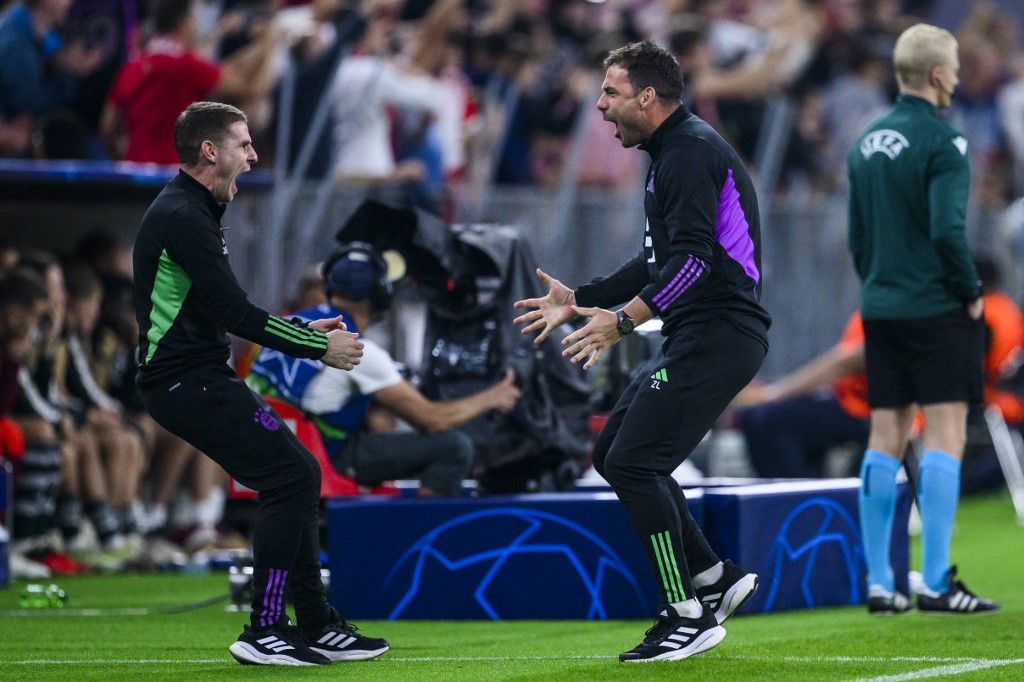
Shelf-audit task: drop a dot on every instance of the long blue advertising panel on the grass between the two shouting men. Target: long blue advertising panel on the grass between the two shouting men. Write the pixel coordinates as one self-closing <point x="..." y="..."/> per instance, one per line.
<point x="537" y="557"/>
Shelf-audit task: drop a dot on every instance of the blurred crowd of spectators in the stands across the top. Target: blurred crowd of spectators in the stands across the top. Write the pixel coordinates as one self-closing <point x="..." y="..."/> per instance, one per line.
<point x="104" y="79"/>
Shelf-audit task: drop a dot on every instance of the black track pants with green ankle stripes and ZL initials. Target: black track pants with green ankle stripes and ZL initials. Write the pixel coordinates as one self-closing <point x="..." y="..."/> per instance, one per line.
<point x="660" y="419"/>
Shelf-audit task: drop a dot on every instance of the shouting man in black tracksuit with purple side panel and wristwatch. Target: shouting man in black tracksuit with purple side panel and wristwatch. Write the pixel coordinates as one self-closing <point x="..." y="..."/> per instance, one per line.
<point x="700" y="271"/>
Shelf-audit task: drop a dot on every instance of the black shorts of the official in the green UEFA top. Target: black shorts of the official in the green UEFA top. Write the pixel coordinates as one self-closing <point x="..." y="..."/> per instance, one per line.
<point x="926" y="361"/>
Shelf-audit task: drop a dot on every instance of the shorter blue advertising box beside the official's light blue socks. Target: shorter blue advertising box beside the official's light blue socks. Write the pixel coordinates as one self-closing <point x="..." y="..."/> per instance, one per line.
<point x="802" y="539"/>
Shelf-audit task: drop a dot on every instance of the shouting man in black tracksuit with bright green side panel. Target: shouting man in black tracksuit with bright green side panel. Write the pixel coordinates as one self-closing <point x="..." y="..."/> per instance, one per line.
<point x="187" y="301"/>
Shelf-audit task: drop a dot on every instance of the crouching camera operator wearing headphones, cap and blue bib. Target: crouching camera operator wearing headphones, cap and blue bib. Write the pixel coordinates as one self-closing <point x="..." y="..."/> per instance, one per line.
<point x="351" y="409"/>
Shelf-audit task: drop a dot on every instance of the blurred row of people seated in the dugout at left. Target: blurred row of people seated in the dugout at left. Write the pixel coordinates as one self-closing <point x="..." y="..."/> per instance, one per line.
<point x="75" y="428"/>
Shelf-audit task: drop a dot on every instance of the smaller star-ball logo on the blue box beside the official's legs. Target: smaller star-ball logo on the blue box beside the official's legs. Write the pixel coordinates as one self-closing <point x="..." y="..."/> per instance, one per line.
<point x="820" y="532"/>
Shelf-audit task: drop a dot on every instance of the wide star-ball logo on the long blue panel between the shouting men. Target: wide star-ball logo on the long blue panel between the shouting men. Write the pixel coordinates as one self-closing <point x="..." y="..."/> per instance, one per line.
<point x="506" y="560"/>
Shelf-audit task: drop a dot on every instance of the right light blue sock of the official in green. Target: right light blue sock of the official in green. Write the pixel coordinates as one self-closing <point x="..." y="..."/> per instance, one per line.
<point x="938" y="494"/>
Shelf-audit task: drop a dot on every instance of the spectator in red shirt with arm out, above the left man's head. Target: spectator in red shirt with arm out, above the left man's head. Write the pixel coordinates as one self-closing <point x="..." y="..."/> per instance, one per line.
<point x="152" y="91"/>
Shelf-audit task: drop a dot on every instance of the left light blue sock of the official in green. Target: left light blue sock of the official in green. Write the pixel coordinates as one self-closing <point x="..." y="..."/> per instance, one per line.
<point x="877" y="500"/>
